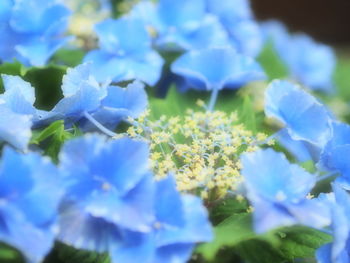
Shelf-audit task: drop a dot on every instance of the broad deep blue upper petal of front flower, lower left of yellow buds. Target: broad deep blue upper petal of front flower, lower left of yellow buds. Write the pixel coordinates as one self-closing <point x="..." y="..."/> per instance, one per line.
<point x="113" y="162"/>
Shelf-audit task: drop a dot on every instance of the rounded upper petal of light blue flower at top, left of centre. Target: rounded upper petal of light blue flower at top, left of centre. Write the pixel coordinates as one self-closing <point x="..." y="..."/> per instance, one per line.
<point x="123" y="37"/>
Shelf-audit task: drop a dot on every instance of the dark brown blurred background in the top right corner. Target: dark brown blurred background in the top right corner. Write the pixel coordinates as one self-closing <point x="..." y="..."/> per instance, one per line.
<point x="327" y="21"/>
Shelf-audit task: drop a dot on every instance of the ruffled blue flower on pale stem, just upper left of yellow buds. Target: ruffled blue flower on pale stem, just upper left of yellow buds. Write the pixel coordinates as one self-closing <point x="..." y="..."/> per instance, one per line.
<point x="83" y="96"/>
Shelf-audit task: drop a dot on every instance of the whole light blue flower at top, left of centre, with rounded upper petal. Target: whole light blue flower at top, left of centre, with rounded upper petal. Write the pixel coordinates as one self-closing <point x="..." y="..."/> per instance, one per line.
<point x="125" y="52"/>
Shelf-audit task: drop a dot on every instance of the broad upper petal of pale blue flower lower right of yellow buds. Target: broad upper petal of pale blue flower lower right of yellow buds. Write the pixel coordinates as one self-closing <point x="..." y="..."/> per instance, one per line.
<point x="281" y="181"/>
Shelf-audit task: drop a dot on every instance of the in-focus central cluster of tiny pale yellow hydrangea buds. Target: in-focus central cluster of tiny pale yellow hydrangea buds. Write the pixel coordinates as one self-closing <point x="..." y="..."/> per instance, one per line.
<point x="208" y="162"/>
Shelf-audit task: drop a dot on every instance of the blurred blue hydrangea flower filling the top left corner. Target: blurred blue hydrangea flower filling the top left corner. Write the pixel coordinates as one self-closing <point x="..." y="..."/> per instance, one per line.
<point x="31" y="39"/>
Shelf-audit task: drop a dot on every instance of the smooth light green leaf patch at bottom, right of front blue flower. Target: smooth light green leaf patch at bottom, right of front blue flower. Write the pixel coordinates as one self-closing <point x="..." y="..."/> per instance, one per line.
<point x="230" y="232"/>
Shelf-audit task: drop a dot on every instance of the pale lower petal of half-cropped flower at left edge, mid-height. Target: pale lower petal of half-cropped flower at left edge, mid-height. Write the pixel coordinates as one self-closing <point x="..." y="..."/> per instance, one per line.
<point x="15" y="128"/>
